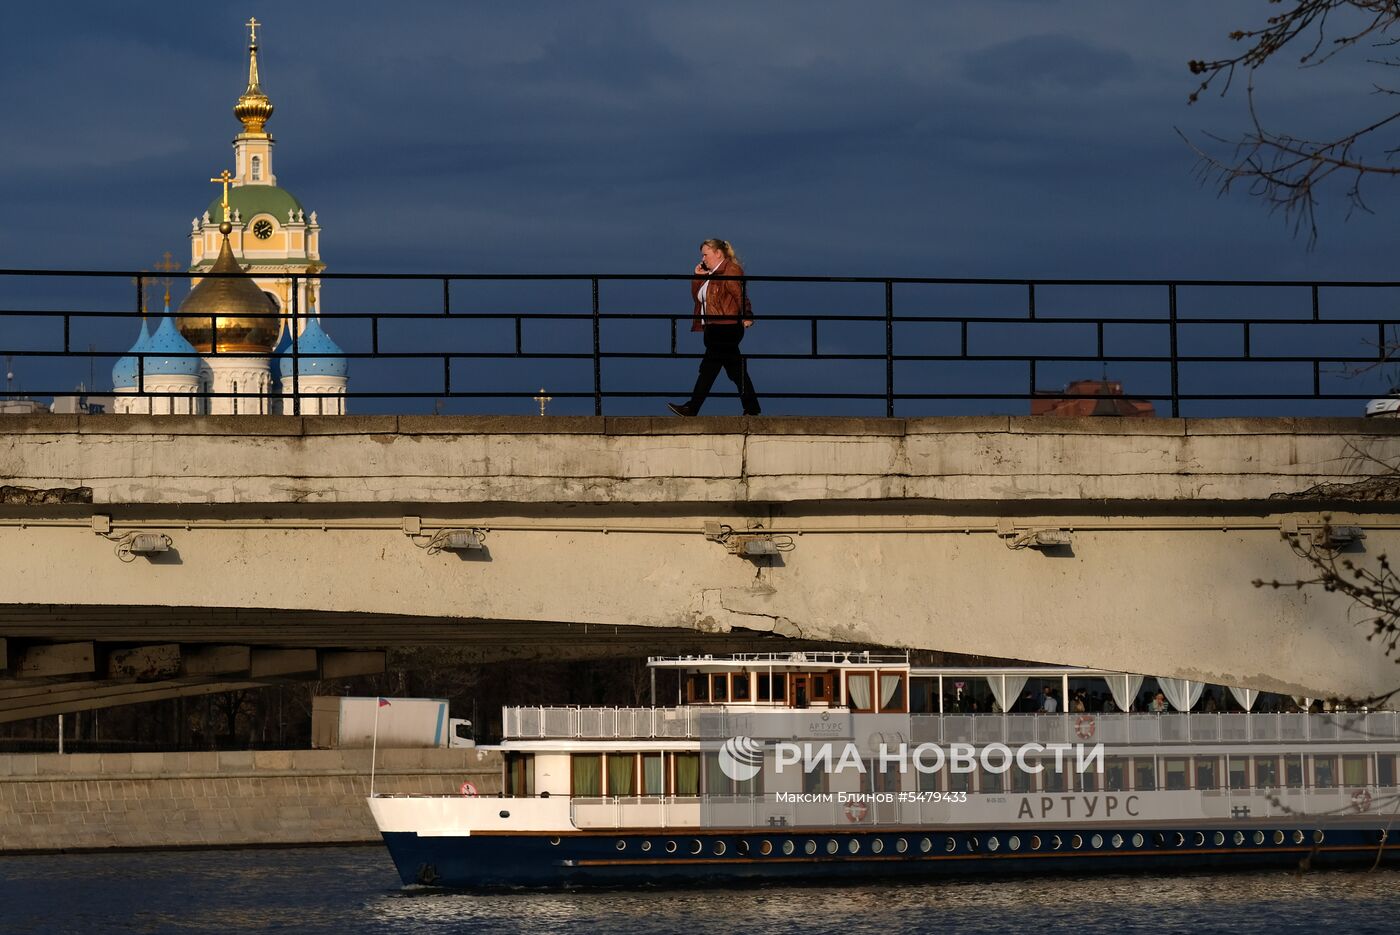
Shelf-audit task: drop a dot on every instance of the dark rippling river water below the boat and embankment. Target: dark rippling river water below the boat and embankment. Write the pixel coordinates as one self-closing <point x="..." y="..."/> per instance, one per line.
<point x="355" y="890"/>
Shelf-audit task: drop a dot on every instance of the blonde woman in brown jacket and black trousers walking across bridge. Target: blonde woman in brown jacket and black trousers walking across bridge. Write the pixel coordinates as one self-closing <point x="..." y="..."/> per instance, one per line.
<point x="722" y="313"/>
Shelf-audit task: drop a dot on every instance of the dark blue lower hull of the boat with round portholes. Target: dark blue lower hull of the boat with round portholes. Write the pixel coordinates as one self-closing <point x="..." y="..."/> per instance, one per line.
<point x="834" y="856"/>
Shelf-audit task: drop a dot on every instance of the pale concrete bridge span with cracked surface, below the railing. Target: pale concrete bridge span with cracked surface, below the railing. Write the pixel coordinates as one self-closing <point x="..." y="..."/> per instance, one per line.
<point x="163" y="556"/>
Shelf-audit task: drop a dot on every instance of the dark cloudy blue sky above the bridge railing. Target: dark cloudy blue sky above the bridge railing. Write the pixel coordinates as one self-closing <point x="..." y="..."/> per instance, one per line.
<point x="901" y="138"/>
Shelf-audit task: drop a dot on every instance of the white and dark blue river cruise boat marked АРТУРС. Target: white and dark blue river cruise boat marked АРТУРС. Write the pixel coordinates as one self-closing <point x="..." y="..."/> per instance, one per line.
<point x="828" y="766"/>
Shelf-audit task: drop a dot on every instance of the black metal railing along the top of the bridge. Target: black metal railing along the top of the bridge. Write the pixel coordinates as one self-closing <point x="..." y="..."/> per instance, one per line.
<point x="898" y="327"/>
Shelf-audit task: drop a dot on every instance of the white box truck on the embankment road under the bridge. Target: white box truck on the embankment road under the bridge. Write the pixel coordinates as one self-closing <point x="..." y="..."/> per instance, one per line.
<point x="402" y="723"/>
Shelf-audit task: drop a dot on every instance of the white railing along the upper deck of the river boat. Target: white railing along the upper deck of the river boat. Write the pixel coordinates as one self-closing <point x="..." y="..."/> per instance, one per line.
<point x="701" y="723"/>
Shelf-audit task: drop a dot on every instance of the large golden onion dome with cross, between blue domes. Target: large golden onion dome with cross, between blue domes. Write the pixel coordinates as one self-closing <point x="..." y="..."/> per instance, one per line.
<point x="246" y="321"/>
